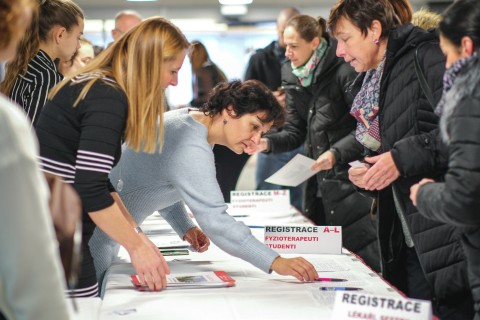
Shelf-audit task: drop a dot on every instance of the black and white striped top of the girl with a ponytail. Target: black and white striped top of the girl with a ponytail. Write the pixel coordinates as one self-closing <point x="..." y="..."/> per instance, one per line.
<point x="31" y="90"/>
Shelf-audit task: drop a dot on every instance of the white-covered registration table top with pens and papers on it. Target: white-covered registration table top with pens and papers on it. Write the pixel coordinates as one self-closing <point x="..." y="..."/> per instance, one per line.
<point x="256" y="295"/>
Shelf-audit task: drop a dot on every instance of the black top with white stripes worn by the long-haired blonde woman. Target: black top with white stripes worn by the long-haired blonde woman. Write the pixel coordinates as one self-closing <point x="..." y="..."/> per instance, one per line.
<point x="81" y="144"/>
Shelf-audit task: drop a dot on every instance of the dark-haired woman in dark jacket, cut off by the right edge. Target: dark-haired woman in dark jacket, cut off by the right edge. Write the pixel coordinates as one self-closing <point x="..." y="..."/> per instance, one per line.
<point x="456" y="201"/>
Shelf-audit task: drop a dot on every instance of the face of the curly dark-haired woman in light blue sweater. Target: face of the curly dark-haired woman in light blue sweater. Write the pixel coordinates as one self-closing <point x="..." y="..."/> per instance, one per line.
<point x="244" y="131"/>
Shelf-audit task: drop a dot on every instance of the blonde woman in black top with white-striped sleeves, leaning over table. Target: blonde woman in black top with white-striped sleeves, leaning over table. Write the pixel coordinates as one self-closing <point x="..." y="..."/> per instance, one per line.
<point x="117" y="98"/>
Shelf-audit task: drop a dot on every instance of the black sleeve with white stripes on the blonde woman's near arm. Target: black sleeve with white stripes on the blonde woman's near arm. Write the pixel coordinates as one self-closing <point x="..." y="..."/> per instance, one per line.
<point x="104" y="114"/>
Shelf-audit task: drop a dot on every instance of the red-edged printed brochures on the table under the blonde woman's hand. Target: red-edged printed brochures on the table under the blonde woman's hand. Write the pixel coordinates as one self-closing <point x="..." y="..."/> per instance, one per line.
<point x="211" y="279"/>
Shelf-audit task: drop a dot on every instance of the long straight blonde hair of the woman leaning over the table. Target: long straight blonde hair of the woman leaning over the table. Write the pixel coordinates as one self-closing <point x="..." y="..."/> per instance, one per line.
<point x="135" y="62"/>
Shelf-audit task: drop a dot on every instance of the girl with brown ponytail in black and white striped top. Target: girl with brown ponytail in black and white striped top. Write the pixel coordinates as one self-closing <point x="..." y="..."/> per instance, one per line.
<point x="54" y="34"/>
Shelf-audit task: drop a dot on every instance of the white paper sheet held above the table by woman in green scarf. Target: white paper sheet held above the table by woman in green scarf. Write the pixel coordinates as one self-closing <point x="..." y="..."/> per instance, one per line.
<point x="294" y="172"/>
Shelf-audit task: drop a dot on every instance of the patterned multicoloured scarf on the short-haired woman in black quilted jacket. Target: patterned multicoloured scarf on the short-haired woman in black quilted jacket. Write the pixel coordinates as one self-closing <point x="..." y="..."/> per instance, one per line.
<point x="365" y="109"/>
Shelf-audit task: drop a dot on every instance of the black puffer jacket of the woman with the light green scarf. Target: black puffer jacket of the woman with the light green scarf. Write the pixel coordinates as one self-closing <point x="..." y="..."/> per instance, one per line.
<point x="318" y="115"/>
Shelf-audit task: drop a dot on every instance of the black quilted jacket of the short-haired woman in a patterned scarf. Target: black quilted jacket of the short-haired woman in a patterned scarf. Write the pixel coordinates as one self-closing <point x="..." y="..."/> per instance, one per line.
<point x="408" y="127"/>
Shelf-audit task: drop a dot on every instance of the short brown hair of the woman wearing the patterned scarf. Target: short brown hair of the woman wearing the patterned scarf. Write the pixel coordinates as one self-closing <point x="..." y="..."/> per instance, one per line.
<point x="361" y="13"/>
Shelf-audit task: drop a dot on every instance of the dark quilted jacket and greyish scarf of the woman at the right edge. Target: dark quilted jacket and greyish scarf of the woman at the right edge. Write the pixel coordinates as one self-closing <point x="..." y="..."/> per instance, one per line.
<point x="457" y="200"/>
